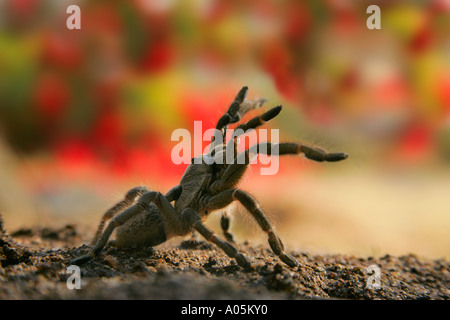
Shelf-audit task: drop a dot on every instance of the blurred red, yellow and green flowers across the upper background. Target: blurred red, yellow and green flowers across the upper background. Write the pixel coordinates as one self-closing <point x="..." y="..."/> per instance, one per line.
<point x="110" y="94"/>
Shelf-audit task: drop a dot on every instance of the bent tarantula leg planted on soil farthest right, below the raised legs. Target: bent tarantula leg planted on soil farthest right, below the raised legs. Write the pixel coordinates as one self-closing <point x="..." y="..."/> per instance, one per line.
<point x="224" y="198"/>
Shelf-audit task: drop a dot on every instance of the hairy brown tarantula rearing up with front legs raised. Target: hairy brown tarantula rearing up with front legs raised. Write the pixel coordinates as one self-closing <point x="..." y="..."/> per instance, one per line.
<point x="150" y="218"/>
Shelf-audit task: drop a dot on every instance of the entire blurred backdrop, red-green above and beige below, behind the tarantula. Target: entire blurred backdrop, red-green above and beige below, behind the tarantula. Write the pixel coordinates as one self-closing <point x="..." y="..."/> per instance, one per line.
<point x="87" y="114"/>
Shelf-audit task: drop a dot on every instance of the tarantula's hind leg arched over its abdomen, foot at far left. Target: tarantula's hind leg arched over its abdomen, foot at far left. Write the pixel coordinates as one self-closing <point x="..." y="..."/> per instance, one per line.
<point x="174" y="225"/>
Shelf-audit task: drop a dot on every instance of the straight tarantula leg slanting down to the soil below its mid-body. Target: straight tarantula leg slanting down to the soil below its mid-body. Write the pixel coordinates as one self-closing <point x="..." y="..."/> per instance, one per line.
<point x="193" y="219"/>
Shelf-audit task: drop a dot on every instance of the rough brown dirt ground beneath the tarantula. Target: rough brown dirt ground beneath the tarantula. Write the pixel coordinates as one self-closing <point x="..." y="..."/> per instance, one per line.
<point x="34" y="262"/>
